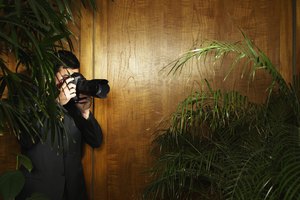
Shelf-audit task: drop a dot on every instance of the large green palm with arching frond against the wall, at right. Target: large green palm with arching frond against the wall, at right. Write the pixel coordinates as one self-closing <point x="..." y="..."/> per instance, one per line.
<point x="221" y="145"/>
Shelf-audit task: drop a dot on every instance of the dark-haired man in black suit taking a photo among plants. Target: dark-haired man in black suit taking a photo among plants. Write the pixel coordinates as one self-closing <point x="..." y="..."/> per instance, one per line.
<point x="59" y="176"/>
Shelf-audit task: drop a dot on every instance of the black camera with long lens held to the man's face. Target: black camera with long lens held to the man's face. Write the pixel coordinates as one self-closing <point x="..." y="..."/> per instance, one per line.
<point x="96" y="87"/>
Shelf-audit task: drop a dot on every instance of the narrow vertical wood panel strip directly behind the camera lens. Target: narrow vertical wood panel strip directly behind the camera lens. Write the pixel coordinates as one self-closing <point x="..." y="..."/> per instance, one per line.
<point x="101" y="105"/>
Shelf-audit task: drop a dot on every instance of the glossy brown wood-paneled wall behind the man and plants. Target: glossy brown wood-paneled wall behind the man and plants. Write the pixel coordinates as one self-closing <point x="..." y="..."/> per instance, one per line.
<point x="130" y="41"/>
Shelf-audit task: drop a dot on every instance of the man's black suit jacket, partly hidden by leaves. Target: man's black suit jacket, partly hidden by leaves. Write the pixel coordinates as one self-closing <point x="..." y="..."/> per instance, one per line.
<point x="57" y="170"/>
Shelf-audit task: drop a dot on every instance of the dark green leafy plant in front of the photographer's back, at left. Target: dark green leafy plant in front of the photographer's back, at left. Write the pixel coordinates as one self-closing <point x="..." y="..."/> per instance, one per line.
<point x="31" y="32"/>
